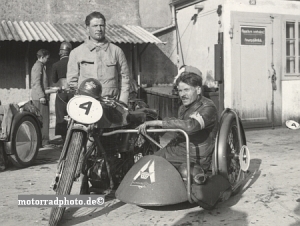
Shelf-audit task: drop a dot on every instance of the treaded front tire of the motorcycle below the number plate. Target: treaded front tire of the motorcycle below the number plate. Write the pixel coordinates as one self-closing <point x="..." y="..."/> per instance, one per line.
<point x="67" y="175"/>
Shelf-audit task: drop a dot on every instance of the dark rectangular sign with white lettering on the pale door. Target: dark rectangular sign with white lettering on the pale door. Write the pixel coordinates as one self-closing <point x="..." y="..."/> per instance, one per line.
<point x="253" y="36"/>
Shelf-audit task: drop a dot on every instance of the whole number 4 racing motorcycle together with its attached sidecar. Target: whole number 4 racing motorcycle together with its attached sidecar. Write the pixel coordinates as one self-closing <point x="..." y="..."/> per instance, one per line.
<point x="125" y="162"/>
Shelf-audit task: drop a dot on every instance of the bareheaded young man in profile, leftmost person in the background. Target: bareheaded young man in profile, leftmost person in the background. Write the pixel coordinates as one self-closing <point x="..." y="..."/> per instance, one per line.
<point x="39" y="82"/>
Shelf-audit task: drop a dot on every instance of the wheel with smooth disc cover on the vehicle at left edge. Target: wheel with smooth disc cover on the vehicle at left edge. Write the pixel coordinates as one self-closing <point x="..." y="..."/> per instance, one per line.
<point x="26" y="138"/>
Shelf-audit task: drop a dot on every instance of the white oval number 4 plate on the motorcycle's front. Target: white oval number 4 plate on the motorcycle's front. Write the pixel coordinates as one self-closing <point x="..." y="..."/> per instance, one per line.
<point x="84" y="109"/>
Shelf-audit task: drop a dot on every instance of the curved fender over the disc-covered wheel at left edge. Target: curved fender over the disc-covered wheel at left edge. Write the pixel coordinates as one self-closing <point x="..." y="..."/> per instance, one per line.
<point x="17" y="117"/>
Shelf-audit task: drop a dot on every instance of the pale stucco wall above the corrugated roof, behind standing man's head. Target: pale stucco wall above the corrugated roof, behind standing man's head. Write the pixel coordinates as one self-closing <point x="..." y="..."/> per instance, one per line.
<point x="115" y="11"/>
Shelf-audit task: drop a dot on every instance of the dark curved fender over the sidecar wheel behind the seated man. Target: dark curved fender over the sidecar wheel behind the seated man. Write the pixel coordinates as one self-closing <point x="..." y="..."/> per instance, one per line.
<point x="227" y="118"/>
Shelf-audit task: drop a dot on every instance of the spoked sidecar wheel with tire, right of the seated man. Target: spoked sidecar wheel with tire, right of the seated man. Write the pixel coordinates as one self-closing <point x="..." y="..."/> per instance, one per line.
<point x="228" y="148"/>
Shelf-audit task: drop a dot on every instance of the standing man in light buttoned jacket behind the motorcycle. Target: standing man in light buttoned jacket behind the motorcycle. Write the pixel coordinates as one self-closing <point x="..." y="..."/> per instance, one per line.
<point x="98" y="58"/>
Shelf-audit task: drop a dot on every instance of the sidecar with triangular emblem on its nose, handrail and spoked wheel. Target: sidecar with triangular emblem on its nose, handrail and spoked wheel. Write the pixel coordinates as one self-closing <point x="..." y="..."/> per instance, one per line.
<point x="155" y="181"/>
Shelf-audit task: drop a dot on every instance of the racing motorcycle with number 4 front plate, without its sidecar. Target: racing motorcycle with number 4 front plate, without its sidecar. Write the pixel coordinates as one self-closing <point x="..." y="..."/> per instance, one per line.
<point x="100" y="162"/>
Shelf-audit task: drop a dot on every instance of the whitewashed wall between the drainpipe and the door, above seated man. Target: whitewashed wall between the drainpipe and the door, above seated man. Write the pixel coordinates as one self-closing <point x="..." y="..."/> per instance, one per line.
<point x="198" y="37"/>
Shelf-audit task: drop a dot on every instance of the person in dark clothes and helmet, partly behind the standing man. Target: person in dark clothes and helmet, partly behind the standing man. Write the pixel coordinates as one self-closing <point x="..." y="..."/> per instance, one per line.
<point x="59" y="73"/>
